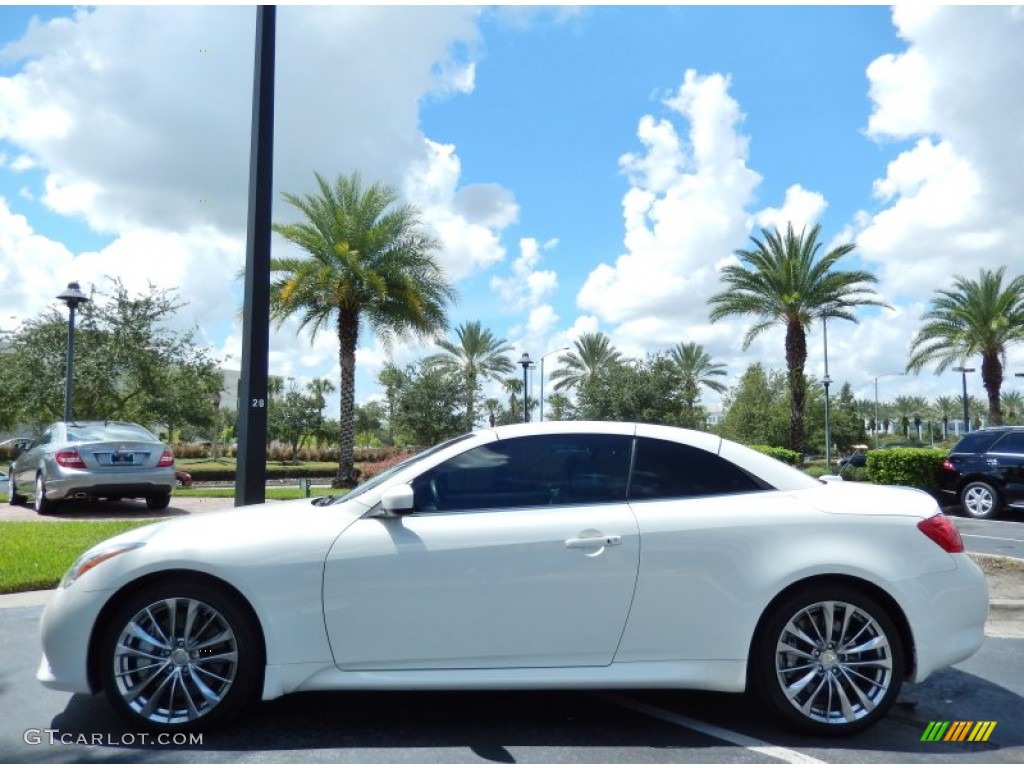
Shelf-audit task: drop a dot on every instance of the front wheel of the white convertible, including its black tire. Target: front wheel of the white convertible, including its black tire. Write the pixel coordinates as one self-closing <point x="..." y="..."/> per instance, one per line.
<point x="214" y="667"/>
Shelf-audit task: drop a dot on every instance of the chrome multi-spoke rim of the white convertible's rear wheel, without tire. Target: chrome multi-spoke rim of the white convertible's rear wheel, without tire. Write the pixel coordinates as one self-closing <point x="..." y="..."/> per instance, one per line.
<point x="834" y="663"/>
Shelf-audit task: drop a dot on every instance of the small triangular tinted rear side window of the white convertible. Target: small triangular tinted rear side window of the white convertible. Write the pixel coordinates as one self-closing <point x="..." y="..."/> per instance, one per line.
<point x="671" y="471"/>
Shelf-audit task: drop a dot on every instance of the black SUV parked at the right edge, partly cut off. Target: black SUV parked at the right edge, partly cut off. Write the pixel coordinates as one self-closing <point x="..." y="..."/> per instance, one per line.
<point x="986" y="472"/>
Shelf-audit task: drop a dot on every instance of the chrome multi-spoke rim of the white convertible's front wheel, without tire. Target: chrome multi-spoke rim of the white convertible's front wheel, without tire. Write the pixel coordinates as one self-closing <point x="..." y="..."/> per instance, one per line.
<point x="176" y="661"/>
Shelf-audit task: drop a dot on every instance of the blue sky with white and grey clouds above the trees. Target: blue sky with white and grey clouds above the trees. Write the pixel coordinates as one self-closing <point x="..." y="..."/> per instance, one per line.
<point x="585" y="168"/>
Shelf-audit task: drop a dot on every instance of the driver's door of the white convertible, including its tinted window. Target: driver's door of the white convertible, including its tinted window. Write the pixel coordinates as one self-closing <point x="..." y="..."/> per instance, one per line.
<point x="521" y="553"/>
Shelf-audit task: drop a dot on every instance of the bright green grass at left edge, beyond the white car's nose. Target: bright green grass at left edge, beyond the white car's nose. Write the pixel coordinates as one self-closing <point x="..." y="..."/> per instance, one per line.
<point x="35" y="556"/>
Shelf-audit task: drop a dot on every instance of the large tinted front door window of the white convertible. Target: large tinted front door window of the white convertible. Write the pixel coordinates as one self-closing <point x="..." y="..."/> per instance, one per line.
<point x="534" y="472"/>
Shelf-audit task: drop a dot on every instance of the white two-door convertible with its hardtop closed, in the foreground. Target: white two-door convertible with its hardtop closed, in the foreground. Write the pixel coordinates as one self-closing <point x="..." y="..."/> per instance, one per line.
<point x="554" y="556"/>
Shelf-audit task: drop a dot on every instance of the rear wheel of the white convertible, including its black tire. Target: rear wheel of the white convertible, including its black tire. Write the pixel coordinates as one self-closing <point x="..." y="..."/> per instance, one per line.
<point x="825" y="687"/>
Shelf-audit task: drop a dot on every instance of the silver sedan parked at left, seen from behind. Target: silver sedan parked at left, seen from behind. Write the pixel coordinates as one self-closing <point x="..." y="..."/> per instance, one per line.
<point x="93" y="460"/>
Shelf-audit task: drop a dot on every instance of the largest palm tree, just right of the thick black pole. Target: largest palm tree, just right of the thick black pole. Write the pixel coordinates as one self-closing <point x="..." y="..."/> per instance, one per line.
<point x="370" y="265"/>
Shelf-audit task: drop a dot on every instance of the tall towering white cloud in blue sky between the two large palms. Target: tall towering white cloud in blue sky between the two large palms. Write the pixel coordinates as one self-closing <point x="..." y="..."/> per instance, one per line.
<point x="685" y="214"/>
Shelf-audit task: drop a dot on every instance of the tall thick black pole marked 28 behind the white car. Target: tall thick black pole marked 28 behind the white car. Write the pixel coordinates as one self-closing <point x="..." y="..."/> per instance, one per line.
<point x="250" y="482"/>
